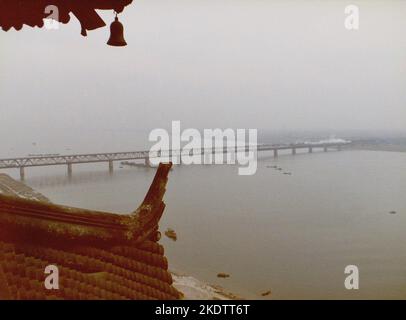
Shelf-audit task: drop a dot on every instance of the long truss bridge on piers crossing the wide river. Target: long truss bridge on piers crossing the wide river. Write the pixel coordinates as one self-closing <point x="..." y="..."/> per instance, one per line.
<point x="69" y="160"/>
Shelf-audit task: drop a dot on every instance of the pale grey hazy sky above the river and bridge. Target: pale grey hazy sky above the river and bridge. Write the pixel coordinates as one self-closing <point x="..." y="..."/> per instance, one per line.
<point x="277" y="65"/>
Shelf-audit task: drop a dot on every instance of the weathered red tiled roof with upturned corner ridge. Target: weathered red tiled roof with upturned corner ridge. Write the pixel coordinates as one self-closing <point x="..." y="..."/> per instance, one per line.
<point x="99" y="255"/>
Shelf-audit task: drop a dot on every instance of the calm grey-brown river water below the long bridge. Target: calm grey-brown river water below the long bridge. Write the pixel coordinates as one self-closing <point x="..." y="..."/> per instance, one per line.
<point x="291" y="234"/>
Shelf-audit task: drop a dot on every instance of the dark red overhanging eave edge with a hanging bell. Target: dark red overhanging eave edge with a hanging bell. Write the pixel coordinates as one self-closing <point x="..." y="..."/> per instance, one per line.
<point x="39" y="13"/>
